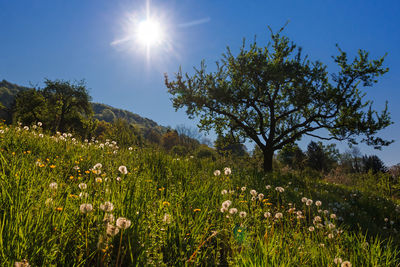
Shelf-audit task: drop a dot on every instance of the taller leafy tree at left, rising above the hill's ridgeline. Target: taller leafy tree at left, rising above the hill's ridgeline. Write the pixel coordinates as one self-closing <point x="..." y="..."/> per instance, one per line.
<point x="66" y="103"/>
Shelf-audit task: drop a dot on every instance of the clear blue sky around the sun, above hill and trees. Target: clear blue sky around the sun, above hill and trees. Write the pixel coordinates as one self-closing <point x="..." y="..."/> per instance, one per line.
<point x="73" y="40"/>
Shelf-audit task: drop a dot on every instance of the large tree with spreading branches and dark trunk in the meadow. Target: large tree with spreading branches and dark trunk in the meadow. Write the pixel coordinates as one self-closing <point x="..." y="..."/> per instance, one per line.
<point x="273" y="96"/>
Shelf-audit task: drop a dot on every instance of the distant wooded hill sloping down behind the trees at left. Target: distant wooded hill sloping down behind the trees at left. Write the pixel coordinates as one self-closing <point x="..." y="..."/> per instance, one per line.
<point x="104" y="112"/>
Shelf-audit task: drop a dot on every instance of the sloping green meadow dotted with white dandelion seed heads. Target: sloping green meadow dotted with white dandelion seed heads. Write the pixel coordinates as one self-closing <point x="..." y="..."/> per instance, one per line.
<point x="69" y="203"/>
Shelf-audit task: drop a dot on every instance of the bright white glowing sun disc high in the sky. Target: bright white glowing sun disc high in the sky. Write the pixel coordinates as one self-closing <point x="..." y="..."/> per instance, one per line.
<point x="149" y="32"/>
